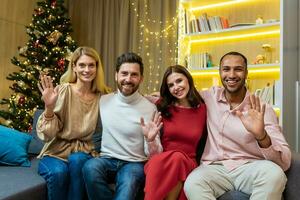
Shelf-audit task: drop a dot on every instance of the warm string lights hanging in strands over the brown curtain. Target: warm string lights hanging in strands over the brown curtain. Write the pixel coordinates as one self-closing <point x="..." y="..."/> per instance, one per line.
<point x="151" y="39"/>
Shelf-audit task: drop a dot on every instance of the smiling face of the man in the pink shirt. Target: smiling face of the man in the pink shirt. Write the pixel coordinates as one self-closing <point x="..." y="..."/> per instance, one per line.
<point x="233" y="73"/>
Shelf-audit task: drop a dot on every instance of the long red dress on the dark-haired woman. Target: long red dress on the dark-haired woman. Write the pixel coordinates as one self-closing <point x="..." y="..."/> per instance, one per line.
<point x="181" y="134"/>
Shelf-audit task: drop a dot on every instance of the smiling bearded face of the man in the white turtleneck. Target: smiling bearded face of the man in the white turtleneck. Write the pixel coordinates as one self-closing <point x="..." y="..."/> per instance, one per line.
<point x="128" y="78"/>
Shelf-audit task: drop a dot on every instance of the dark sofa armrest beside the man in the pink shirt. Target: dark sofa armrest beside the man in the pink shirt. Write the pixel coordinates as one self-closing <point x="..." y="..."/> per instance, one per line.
<point x="292" y="190"/>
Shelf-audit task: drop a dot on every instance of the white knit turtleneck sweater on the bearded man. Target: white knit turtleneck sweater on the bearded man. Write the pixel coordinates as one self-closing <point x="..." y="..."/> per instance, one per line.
<point x="122" y="135"/>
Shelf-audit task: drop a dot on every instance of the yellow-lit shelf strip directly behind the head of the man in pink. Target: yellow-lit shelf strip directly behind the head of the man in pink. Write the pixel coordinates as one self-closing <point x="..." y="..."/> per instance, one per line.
<point x="254" y="71"/>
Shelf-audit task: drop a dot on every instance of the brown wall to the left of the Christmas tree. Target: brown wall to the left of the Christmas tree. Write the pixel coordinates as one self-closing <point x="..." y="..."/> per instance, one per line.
<point x="14" y="16"/>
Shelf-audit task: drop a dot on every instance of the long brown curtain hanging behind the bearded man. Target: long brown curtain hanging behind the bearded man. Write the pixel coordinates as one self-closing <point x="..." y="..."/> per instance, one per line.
<point x="113" y="27"/>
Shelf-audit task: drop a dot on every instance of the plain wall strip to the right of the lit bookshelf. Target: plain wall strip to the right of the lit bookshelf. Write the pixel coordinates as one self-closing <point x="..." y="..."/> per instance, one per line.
<point x="290" y="42"/>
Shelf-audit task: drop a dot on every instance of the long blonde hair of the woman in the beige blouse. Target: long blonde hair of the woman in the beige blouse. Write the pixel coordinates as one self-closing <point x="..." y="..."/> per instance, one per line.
<point x="98" y="84"/>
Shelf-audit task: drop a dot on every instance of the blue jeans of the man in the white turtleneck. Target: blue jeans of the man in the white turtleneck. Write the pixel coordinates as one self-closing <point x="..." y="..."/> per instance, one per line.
<point x="99" y="172"/>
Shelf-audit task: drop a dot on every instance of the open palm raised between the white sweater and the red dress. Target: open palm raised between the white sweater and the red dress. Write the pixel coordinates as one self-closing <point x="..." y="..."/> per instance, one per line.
<point x="151" y="129"/>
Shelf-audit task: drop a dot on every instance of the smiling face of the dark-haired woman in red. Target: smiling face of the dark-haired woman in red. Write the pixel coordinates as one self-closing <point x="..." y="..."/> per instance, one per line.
<point x="178" y="86"/>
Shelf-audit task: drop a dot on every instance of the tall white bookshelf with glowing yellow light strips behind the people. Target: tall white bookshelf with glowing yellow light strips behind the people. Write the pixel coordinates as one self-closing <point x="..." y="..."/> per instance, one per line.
<point x="244" y="36"/>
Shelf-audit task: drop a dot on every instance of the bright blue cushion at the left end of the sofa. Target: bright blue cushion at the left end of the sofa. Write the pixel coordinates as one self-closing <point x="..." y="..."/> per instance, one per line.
<point x="13" y="147"/>
